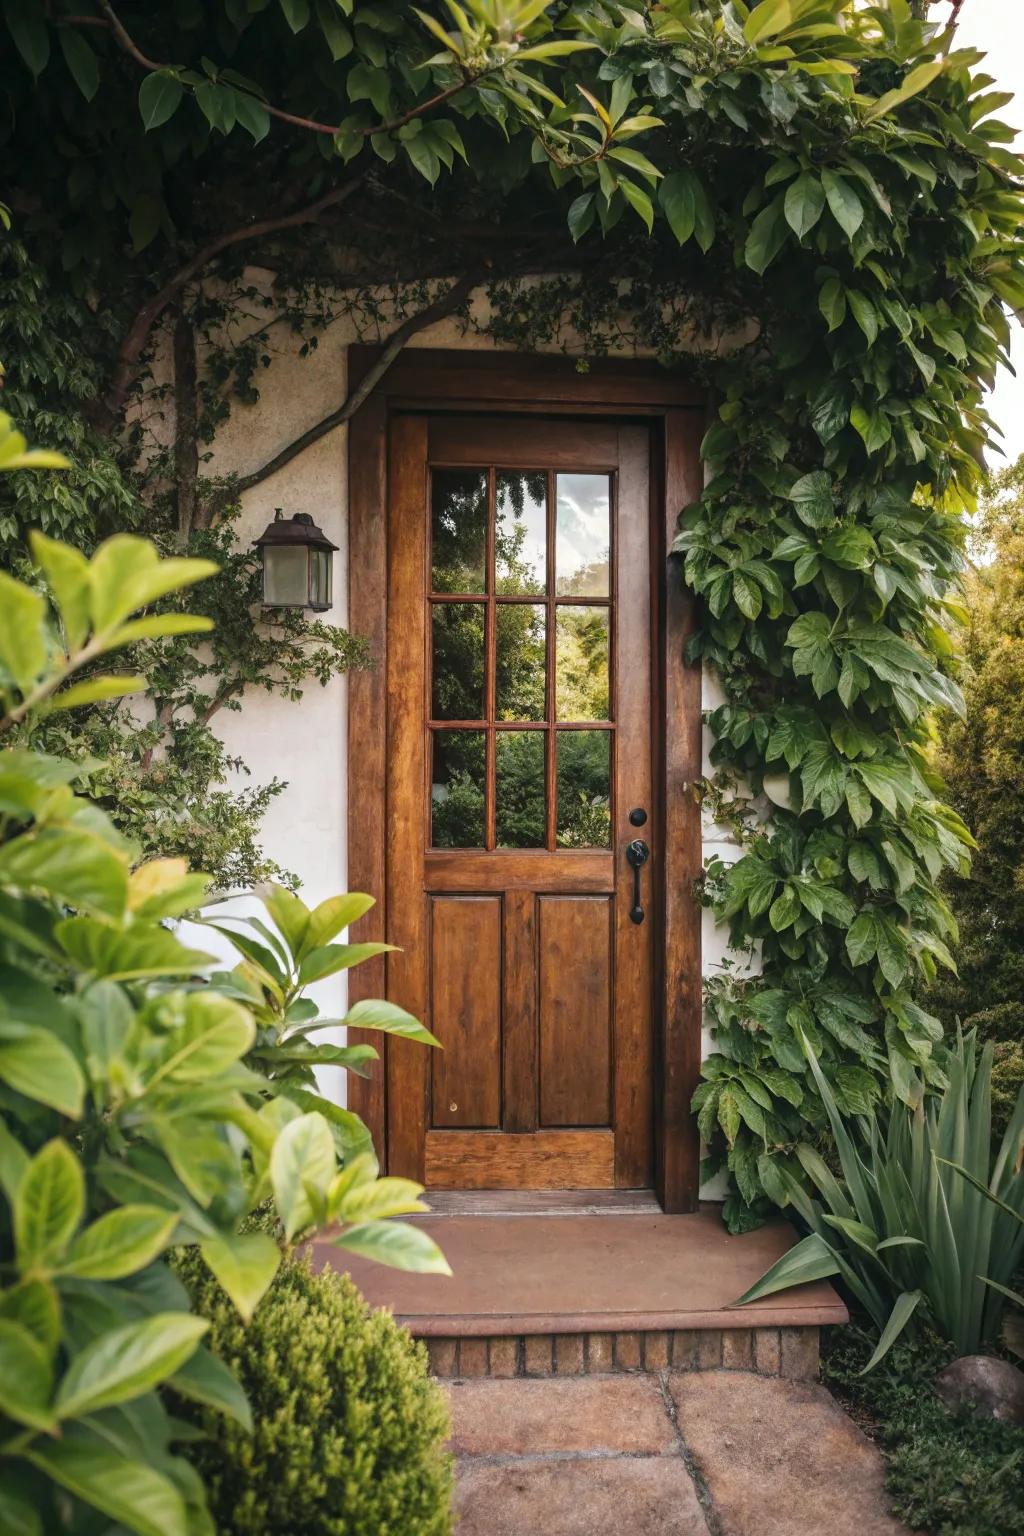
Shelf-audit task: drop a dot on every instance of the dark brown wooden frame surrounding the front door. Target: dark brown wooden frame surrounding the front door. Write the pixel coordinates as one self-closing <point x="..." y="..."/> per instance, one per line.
<point x="466" y="382"/>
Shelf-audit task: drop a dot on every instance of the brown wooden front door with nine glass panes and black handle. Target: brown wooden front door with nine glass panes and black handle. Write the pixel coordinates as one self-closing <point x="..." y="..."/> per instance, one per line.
<point x="520" y="769"/>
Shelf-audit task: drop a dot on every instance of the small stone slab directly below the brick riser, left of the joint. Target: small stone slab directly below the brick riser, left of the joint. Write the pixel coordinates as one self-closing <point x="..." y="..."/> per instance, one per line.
<point x="613" y="1414"/>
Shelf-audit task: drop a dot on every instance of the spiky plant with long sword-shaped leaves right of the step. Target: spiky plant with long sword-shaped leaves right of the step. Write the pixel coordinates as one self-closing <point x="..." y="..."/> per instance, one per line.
<point x="903" y="1228"/>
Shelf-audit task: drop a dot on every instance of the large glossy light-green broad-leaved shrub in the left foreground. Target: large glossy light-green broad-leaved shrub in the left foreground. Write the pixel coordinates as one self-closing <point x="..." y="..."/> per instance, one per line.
<point x="131" y="1121"/>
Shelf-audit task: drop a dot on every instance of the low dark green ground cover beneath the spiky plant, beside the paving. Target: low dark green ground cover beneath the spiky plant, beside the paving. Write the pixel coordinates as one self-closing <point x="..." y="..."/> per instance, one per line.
<point x="948" y="1475"/>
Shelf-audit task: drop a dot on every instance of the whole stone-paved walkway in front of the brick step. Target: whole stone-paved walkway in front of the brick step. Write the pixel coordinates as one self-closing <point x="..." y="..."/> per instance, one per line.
<point x="698" y="1454"/>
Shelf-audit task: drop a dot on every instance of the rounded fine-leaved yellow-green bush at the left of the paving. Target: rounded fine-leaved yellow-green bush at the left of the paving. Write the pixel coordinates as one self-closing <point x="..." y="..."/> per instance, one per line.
<point x="348" y="1428"/>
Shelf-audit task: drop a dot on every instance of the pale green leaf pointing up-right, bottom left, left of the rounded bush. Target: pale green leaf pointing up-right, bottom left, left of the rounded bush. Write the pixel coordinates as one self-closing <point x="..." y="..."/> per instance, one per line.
<point x="125" y="1363"/>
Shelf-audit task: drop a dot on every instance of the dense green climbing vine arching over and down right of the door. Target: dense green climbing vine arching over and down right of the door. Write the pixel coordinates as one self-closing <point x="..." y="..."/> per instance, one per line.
<point x="810" y="207"/>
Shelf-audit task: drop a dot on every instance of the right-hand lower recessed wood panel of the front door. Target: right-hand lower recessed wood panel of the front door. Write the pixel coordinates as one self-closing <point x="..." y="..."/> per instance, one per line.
<point x="575" y="1010"/>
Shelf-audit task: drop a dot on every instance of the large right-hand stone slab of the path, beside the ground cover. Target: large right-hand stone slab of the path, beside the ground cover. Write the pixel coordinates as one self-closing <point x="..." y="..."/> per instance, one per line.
<point x="781" y="1458"/>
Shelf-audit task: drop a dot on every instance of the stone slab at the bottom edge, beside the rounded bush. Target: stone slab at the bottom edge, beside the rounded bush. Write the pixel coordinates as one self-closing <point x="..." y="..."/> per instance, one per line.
<point x="603" y="1497"/>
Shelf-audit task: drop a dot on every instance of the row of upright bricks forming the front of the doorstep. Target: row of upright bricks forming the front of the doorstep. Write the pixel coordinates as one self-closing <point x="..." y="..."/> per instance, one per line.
<point x="791" y="1354"/>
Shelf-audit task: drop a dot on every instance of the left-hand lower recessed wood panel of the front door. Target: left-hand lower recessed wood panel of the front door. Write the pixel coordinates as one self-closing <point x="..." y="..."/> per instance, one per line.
<point x="466" y="1010"/>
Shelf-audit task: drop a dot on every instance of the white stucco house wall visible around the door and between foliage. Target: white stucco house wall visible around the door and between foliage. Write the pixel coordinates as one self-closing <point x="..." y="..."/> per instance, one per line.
<point x="306" y="744"/>
